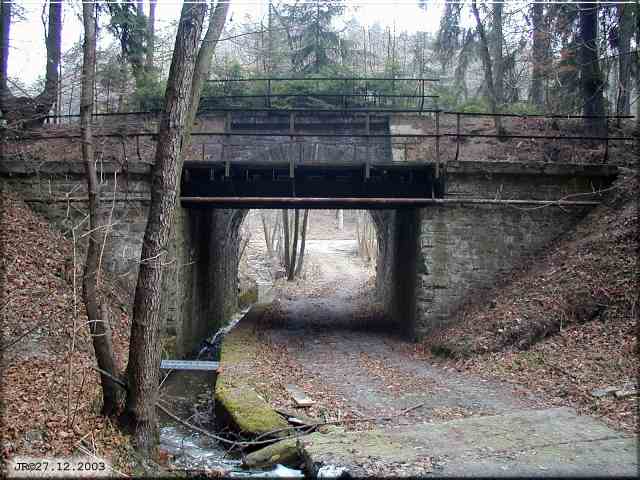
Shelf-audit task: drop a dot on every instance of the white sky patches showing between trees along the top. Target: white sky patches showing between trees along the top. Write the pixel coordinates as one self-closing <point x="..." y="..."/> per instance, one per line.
<point x="27" y="54"/>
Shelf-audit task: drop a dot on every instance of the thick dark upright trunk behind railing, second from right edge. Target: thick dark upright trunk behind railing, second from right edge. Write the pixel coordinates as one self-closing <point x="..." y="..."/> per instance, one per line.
<point x="591" y="80"/>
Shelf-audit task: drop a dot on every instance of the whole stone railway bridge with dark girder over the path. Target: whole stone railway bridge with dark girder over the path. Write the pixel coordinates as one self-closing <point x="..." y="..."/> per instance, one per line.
<point x="445" y="244"/>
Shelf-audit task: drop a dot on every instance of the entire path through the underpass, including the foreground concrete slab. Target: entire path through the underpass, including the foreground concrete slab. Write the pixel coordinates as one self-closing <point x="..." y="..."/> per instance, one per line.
<point x="457" y="424"/>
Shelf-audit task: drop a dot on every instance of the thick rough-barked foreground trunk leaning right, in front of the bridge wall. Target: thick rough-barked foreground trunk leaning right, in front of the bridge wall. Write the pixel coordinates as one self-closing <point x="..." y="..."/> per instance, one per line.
<point x="144" y="348"/>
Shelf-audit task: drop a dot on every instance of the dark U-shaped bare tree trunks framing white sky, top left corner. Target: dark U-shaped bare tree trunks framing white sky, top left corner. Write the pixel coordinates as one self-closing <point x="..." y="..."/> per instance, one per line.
<point x="26" y="110"/>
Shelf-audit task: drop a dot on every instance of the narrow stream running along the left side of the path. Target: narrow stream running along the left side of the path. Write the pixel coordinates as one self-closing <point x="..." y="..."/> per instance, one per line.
<point x="190" y="395"/>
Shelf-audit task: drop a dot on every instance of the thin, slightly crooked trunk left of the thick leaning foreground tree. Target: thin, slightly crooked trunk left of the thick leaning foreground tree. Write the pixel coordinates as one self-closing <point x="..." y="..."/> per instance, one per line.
<point x="96" y="313"/>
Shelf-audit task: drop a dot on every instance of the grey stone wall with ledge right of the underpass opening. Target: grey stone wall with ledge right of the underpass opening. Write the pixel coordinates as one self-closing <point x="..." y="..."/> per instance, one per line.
<point x="464" y="248"/>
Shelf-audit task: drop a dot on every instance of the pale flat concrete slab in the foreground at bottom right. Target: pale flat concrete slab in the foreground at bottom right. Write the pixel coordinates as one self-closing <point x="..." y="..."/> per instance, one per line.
<point x="550" y="442"/>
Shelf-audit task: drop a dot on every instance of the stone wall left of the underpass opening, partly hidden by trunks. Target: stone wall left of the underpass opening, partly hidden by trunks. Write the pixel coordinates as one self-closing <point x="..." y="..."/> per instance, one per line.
<point x="200" y="266"/>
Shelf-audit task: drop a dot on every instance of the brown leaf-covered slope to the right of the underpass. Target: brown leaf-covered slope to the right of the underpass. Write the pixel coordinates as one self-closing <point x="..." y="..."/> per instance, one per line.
<point x="567" y="324"/>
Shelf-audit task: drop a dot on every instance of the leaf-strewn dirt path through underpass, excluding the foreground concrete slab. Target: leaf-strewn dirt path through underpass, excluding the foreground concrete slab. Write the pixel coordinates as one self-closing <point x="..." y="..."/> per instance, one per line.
<point x="323" y="324"/>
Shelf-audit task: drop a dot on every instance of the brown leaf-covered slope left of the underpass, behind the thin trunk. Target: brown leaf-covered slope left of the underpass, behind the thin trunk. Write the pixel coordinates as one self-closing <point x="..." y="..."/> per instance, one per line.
<point x="50" y="395"/>
